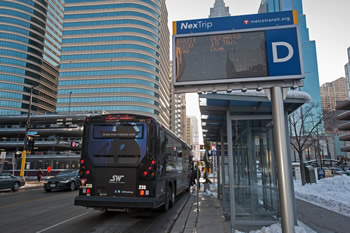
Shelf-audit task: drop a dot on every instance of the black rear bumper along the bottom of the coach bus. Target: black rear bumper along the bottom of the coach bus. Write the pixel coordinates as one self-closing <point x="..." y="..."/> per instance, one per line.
<point x="115" y="202"/>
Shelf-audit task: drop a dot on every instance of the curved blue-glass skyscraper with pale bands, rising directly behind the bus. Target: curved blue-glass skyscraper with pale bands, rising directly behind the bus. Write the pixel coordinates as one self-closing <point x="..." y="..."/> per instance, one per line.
<point x="115" y="57"/>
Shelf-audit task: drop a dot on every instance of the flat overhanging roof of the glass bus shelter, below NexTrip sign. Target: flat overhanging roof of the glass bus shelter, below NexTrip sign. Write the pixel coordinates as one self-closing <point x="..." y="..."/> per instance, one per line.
<point x="249" y="105"/>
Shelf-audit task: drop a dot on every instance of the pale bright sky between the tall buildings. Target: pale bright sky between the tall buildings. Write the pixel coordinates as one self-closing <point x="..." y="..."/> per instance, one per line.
<point x="328" y="23"/>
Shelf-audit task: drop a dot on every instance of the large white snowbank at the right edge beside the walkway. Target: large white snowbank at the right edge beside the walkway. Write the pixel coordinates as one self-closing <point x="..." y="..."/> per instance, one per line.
<point x="330" y="193"/>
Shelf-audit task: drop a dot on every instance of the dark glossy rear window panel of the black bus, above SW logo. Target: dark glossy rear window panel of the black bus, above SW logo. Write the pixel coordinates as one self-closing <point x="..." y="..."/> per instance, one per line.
<point x="117" y="143"/>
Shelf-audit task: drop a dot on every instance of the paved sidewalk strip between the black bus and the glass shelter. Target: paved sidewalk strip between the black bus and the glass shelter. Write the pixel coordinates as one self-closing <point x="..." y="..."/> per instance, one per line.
<point x="207" y="219"/>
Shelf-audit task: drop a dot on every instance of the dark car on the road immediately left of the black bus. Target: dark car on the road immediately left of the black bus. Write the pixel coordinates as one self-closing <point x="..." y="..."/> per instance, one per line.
<point x="69" y="180"/>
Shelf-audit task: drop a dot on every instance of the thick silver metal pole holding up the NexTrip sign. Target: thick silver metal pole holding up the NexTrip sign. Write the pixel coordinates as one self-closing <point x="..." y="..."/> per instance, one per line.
<point x="283" y="167"/>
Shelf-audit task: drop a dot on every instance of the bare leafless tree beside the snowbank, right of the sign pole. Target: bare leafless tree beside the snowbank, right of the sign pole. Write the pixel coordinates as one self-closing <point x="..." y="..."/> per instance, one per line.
<point x="303" y="124"/>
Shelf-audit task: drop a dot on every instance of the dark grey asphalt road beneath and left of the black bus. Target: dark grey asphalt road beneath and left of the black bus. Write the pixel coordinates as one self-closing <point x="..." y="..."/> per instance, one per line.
<point x="37" y="211"/>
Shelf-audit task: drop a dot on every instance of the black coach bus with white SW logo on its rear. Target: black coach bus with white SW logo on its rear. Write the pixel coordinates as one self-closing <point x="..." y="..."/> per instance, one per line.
<point x="131" y="161"/>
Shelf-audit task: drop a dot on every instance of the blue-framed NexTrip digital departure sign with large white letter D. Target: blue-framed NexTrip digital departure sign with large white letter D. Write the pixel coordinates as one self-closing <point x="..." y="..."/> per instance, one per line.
<point x="244" y="48"/>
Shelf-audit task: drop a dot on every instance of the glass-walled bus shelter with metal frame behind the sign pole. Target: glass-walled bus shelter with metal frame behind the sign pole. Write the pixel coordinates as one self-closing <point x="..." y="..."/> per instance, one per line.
<point x="241" y="126"/>
